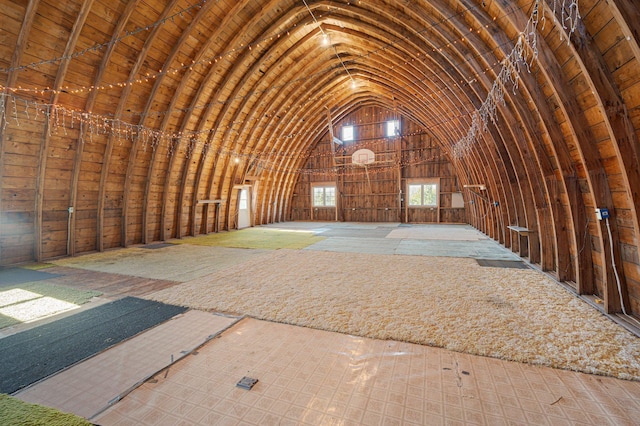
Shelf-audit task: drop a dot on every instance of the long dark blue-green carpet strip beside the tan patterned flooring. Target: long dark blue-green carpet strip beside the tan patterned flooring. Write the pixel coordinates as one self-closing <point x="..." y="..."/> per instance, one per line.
<point x="34" y="354"/>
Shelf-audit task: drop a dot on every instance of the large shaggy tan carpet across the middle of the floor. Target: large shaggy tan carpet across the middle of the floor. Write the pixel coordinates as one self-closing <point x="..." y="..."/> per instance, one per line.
<point x="453" y="303"/>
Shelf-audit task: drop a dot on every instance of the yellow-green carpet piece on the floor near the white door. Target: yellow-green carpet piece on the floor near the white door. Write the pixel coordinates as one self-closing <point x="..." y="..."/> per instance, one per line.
<point x="256" y="238"/>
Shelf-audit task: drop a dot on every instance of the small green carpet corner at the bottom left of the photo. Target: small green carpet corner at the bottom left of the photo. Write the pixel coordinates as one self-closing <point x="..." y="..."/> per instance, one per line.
<point x="16" y="412"/>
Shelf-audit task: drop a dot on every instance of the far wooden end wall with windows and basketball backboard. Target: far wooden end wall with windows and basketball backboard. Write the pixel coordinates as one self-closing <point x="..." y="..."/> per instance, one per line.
<point x="378" y="191"/>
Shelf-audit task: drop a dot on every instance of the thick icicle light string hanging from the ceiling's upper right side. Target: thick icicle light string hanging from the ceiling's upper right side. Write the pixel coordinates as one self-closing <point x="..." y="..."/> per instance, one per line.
<point x="523" y="54"/>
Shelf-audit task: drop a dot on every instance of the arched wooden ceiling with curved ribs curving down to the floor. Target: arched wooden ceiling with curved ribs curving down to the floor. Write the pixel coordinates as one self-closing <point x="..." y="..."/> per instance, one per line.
<point x="133" y="111"/>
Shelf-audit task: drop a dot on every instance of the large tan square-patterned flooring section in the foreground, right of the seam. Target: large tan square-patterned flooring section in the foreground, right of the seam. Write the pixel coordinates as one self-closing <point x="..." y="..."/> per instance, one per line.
<point x="313" y="377"/>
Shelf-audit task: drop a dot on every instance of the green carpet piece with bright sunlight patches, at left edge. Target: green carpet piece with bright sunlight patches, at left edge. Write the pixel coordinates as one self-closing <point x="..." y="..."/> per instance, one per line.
<point x="41" y="288"/>
